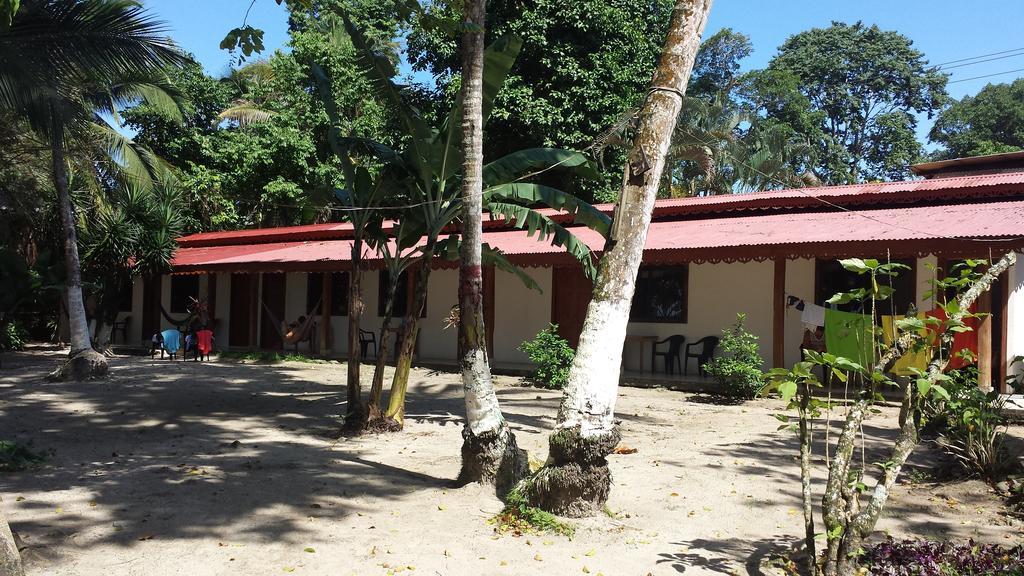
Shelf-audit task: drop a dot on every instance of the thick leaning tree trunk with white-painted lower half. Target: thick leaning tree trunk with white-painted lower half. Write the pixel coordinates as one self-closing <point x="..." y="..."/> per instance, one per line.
<point x="576" y="480"/>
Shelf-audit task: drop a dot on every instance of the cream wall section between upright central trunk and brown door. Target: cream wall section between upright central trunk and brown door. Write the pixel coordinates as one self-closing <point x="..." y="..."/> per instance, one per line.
<point x="520" y="313"/>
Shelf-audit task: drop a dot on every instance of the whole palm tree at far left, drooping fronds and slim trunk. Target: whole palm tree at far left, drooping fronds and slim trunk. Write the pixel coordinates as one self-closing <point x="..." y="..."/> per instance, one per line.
<point x="64" y="63"/>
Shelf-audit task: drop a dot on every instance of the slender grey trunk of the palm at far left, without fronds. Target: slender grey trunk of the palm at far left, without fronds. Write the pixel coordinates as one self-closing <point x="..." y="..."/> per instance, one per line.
<point x="84" y="363"/>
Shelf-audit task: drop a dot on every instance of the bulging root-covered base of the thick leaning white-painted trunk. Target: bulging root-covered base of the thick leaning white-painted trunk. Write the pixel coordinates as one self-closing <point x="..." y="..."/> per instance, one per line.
<point x="576" y="481"/>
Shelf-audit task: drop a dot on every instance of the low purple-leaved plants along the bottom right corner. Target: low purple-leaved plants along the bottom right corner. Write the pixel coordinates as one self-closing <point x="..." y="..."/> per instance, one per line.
<point x="922" y="558"/>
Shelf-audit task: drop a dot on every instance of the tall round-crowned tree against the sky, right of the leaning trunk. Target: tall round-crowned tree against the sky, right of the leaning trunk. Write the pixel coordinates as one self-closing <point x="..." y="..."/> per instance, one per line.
<point x="852" y="91"/>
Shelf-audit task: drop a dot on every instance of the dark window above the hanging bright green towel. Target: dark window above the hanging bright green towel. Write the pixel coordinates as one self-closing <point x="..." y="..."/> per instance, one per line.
<point x="832" y="278"/>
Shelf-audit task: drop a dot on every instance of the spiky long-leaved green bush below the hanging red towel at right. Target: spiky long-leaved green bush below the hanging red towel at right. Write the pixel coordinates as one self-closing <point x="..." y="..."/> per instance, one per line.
<point x="970" y="425"/>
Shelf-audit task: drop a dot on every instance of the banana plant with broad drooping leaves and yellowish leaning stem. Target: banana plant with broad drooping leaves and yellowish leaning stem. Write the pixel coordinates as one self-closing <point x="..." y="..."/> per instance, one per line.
<point x="426" y="177"/>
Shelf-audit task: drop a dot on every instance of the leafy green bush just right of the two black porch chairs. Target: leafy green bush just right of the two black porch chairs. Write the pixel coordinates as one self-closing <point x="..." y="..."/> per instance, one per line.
<point x="738" y="371"/>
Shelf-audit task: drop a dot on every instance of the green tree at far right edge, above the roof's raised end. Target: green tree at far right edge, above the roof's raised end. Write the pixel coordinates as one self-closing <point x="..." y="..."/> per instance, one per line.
<point x="990" y="122"/>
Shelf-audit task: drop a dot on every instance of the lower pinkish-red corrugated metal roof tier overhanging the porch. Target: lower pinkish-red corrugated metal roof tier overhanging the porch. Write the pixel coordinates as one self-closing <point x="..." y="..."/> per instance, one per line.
<point x="693" y="239"/>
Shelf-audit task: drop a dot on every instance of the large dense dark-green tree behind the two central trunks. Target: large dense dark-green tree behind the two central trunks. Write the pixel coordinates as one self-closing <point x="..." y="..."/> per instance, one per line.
<point x="583" y="66"/>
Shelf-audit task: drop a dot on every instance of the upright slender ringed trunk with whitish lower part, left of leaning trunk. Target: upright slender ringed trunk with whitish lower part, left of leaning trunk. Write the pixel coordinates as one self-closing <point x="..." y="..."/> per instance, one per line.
<point x="490" y="454"/>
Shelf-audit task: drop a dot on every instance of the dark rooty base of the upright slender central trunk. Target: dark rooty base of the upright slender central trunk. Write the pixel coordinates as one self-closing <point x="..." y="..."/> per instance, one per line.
<point x="493" y="459"/>
